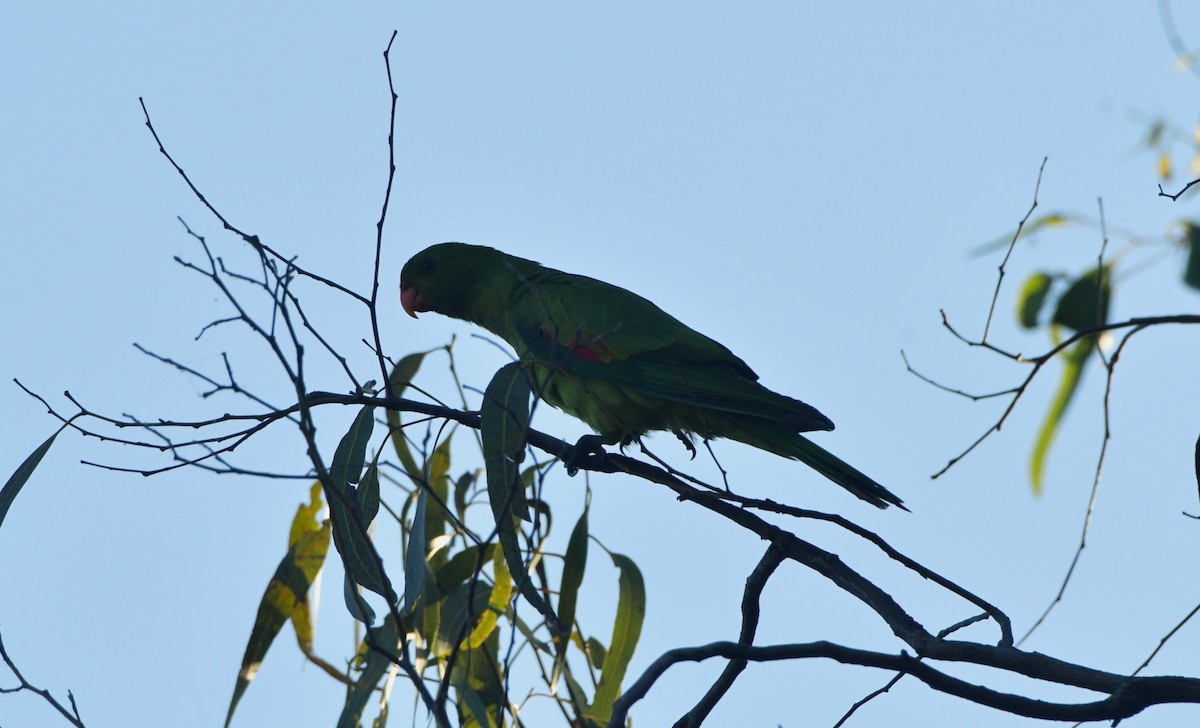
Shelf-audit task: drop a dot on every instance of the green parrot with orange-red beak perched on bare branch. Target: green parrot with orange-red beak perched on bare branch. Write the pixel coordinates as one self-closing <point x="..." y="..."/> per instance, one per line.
<point x="617" y="362"/>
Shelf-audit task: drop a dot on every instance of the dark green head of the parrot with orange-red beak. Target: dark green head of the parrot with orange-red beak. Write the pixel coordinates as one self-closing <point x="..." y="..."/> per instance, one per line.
<point x="448" y="279"/>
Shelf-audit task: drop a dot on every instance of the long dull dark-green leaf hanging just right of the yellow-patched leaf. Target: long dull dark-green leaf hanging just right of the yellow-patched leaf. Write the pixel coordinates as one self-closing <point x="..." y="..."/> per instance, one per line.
<point x="359" y="556"/>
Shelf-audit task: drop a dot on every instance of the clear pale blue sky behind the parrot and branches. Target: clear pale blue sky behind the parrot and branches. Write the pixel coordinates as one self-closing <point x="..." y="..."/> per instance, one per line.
<point x="801" y="182"/>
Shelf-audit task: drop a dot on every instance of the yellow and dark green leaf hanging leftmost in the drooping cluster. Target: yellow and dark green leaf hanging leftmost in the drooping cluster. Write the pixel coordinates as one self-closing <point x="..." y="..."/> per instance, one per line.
<point x="287" y="595"/>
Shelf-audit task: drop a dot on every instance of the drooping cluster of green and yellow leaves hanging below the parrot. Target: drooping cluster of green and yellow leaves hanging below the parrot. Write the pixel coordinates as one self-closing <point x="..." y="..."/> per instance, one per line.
<point x="460" y="588"/>
